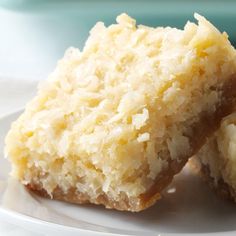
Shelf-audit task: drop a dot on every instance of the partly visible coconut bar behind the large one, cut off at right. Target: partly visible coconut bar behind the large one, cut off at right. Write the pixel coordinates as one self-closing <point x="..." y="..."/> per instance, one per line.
<point x="217" y="159"/>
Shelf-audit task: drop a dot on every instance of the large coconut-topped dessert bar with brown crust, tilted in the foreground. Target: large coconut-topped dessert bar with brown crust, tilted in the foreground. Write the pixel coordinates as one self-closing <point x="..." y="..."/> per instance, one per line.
<point x="116" y="121"/>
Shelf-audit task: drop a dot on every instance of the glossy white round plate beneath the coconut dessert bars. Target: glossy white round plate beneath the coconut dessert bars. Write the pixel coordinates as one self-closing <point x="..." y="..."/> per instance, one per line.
<point x="192" y="209"/>
